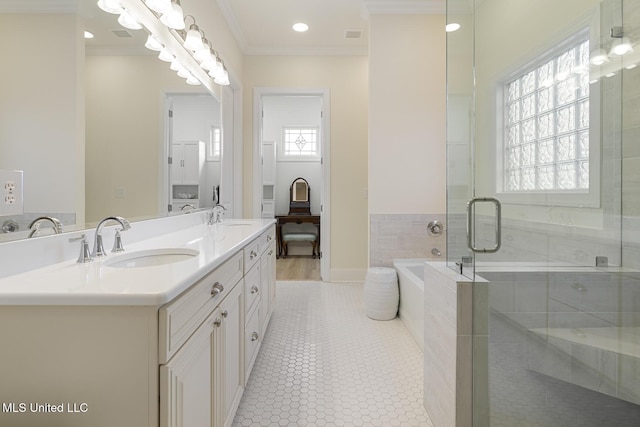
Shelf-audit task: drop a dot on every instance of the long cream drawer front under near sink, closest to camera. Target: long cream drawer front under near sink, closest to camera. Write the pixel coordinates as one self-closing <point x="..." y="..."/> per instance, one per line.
<point x="181" y="317"/>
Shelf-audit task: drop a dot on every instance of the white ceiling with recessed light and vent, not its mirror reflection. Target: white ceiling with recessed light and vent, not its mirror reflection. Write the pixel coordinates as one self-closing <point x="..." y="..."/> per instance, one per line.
<point x="263" y="27"/>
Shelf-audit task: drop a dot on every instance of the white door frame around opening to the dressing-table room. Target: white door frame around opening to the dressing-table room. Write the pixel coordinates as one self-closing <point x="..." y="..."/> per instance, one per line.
<point x="325" y="127"/>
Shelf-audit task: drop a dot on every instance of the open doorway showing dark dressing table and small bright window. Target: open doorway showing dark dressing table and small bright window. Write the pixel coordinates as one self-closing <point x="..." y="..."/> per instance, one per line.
<point x="291" y="141"/>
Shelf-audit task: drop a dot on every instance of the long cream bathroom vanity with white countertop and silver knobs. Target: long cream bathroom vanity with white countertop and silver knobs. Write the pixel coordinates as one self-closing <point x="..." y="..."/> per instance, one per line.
<point x="137" y="340"/>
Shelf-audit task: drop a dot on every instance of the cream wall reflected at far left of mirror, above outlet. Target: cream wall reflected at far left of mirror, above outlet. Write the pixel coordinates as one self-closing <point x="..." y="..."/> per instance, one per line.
<point x="42" y="109"/>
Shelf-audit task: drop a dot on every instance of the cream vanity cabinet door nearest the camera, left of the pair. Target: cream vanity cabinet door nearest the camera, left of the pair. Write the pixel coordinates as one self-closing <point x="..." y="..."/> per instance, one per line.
<point x="187" y="380"/>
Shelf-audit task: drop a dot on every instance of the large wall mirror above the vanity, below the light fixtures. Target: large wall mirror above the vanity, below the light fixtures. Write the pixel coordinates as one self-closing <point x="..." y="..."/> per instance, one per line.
<point x="87" y="120"/>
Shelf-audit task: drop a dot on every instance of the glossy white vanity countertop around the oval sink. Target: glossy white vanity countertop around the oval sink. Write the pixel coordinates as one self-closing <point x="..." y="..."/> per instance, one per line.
<point x="94" y="283"/>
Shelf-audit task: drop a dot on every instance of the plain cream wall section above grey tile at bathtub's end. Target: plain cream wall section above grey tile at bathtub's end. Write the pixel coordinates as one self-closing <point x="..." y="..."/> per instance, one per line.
<point x="407" y="114"/>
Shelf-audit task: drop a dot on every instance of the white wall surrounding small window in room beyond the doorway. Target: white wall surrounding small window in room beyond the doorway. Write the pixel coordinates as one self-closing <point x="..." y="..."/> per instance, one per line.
<point x="282" y="111"/>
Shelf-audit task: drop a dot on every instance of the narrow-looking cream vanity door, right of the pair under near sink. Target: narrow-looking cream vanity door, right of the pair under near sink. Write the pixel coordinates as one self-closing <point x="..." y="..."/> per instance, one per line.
<point x="232" y="312"/>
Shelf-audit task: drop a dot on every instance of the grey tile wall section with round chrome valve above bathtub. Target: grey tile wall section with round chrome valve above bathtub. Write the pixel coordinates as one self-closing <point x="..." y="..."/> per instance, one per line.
<point x="393" y="236"/>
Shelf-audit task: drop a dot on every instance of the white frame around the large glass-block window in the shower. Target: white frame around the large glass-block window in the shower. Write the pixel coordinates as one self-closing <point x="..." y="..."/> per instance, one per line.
<point x="575" y="197"/>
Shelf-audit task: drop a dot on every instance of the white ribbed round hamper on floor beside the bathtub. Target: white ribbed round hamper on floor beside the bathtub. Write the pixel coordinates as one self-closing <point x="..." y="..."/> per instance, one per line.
<point x="381" y="294"/>
